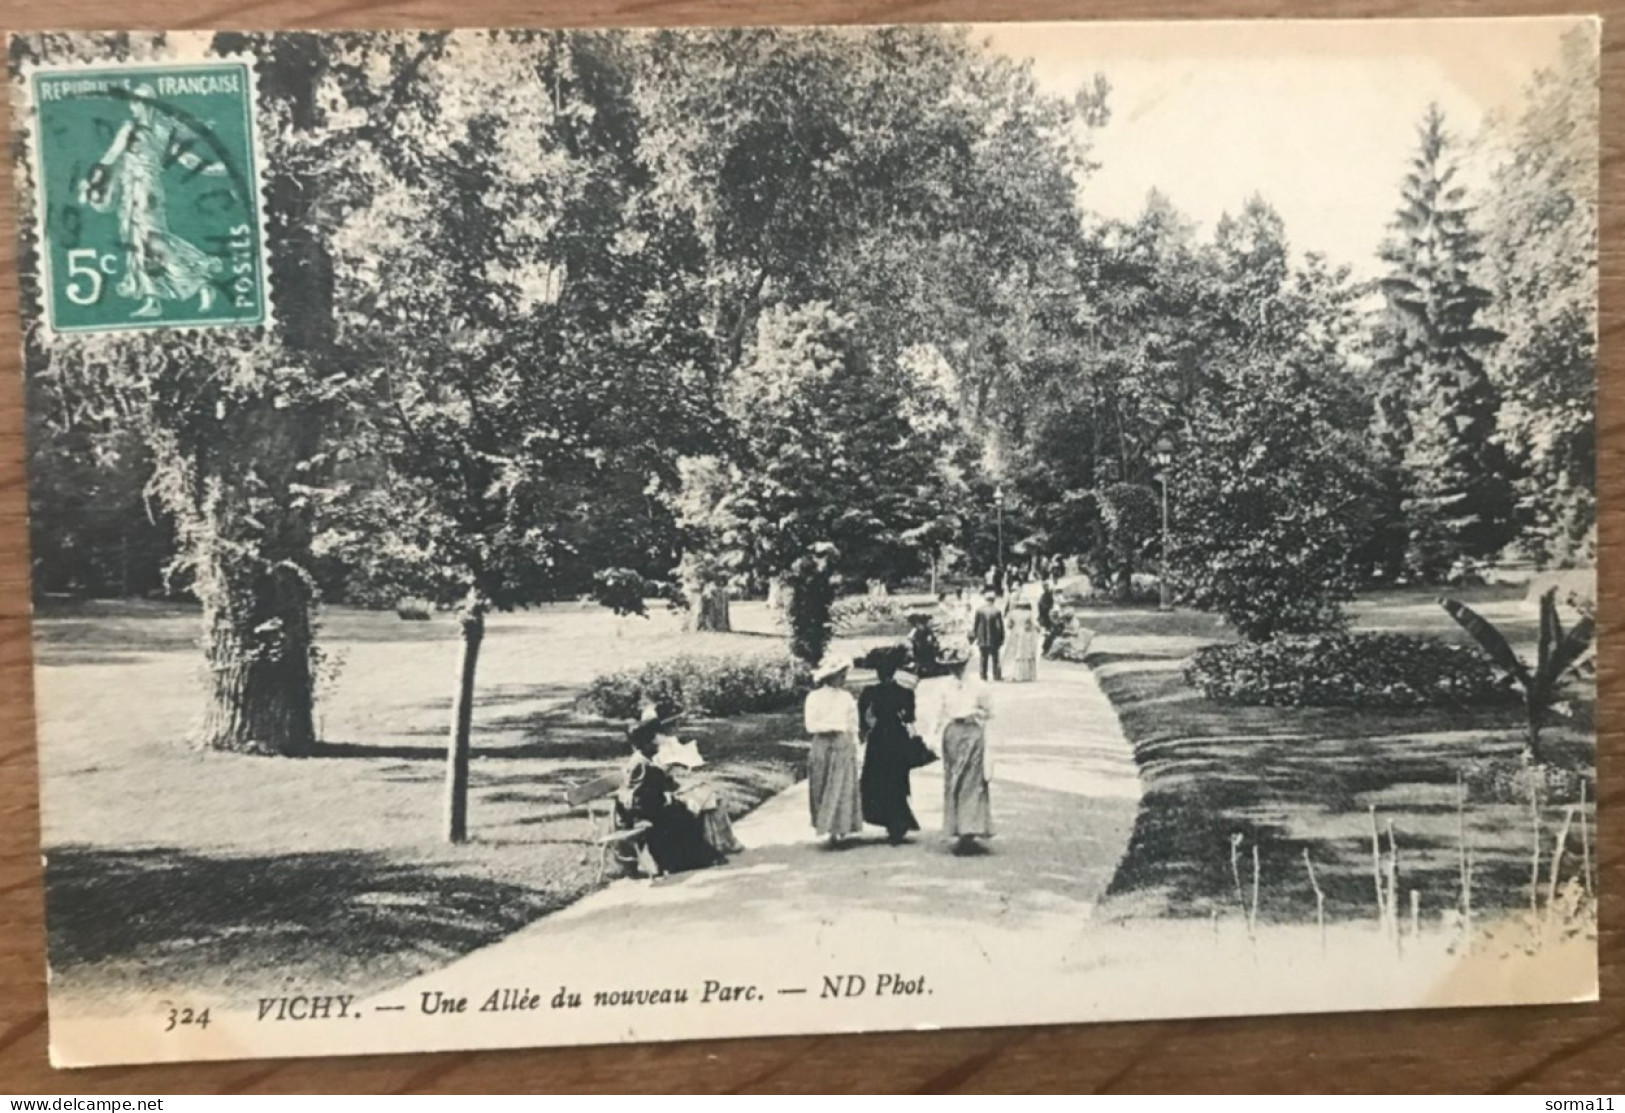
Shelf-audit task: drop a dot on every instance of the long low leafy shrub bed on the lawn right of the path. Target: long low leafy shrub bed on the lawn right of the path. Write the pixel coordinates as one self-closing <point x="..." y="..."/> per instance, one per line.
<point x="1346" y="670"/>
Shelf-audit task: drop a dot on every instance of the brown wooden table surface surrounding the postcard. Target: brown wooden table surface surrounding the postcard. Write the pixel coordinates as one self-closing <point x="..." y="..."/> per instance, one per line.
<point x="1546" y="1050"/>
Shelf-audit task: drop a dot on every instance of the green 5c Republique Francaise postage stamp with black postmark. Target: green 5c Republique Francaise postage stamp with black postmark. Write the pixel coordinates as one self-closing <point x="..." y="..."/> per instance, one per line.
<point x="149" y="196"/>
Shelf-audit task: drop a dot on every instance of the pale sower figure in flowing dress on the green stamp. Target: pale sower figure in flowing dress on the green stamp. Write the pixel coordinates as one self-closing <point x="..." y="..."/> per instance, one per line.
<point x="131" y="176"/>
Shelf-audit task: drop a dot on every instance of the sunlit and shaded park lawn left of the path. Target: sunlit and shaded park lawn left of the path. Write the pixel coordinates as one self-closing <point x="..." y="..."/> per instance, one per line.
<point x="238" y="877"/>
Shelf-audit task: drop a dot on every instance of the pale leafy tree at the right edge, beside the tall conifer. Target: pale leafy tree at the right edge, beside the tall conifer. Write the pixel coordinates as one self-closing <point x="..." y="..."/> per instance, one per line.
<point x="1540" y="225"/>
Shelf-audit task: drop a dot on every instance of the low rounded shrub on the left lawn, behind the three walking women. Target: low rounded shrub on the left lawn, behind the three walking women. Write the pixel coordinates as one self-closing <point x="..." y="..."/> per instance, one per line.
<point x="701" y="685"/>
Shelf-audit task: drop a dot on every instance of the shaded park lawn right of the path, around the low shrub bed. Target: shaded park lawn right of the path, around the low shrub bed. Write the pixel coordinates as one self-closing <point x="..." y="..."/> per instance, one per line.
<point x="1306" y="779"/>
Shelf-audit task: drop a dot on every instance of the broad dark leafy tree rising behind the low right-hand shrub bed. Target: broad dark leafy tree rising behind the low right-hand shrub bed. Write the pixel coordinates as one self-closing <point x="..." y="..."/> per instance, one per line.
<point x="1272" y="488"/>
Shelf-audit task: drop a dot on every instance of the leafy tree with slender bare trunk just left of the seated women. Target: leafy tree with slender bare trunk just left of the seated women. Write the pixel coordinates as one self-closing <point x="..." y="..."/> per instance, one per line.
<point x="521" y="366"/>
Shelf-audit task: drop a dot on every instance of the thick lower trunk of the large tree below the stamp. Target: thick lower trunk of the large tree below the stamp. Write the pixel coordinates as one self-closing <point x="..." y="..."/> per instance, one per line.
<point x="258" y="625"/>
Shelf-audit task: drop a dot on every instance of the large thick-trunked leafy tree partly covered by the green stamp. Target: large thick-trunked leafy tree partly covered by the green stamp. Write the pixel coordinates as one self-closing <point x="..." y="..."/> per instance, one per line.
<point x="233" y="423"/>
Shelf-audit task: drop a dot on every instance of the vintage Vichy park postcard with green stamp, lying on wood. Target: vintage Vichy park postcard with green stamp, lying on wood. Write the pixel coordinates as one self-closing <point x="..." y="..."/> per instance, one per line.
<point x="586" y="537"/>
